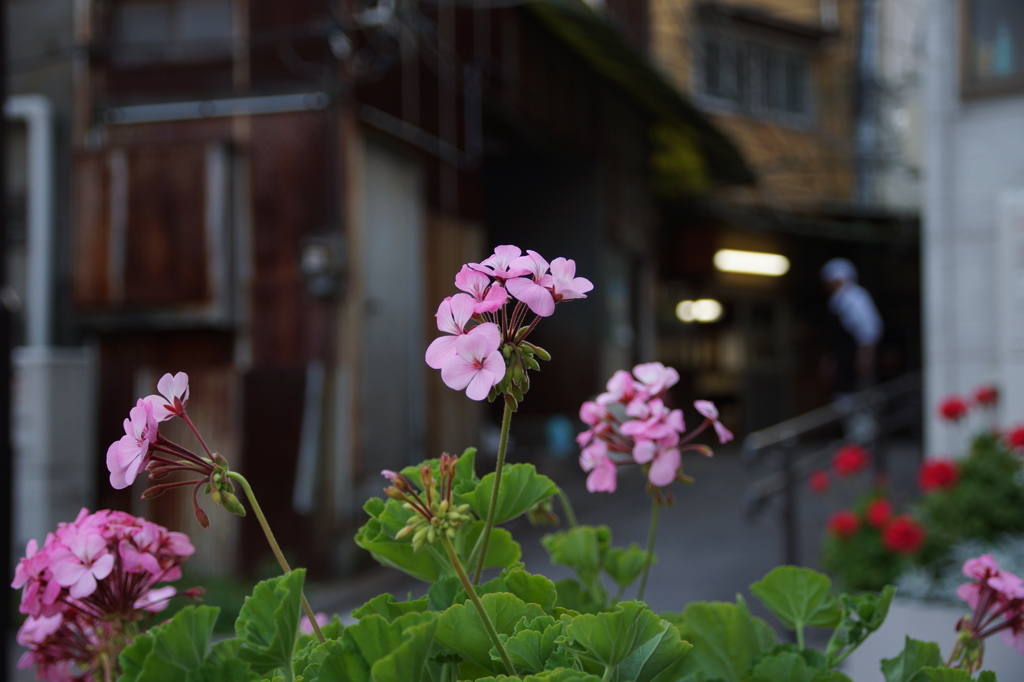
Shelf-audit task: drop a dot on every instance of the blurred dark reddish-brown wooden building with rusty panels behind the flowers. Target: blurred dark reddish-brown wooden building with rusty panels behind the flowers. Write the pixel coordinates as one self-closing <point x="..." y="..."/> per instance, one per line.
<point x="275" y="197"/>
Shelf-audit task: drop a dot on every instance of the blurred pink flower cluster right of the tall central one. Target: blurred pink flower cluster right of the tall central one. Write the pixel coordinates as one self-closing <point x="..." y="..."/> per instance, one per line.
<point x="630" y="424"/>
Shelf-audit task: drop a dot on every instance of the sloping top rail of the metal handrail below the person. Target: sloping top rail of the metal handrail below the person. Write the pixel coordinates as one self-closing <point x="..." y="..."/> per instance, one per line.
<point x="786" y="434"/>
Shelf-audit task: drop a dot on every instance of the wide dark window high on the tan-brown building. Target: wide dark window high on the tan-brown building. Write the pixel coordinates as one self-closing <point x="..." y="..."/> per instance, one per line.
<point x="759" y="78"/>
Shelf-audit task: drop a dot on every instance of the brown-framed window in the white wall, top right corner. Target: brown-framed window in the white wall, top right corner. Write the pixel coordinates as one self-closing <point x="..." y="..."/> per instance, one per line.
<point x="994" y="50"/>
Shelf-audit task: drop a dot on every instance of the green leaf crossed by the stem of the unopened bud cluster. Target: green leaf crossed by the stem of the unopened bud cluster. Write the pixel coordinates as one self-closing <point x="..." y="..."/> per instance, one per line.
<point x="461" y="630"/>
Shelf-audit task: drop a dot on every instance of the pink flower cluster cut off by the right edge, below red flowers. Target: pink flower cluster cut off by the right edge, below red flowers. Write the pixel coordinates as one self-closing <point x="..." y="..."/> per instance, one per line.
<point x="998" y="601"/>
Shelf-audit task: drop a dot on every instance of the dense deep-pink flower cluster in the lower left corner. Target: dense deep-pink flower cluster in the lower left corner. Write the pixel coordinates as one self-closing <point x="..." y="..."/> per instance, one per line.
<point x="91" y="578"/>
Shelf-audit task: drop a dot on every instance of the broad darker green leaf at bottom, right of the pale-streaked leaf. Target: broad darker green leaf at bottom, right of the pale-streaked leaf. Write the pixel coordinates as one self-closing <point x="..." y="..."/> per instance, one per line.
<point x="727" y="640"/>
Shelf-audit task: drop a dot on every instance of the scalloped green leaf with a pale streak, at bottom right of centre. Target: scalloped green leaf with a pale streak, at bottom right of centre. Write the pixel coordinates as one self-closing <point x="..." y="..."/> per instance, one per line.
<point x="632" y="640"/>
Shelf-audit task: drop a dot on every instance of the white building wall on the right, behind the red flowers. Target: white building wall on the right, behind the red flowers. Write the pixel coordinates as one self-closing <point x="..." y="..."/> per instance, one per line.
<point x="974" y="153"/>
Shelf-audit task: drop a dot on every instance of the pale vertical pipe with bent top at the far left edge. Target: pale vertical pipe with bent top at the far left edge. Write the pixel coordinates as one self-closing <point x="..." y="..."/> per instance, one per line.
<point x="37" y="113"/>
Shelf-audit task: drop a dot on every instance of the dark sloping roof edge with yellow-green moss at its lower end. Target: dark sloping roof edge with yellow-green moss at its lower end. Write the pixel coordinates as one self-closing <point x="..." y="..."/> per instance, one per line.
<point x="691" y="154"/>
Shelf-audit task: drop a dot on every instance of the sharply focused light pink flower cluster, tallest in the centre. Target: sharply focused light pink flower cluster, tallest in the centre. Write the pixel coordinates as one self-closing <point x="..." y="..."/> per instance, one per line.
<point x="478" y="322"/>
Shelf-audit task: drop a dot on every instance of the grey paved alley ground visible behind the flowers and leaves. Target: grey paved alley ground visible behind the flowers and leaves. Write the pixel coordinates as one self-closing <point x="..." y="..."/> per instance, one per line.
<point x="707" y="549"/>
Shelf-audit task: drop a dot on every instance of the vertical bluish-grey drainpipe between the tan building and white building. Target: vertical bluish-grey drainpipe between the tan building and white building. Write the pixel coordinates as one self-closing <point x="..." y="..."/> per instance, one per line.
<point x="868" y="102"/>
